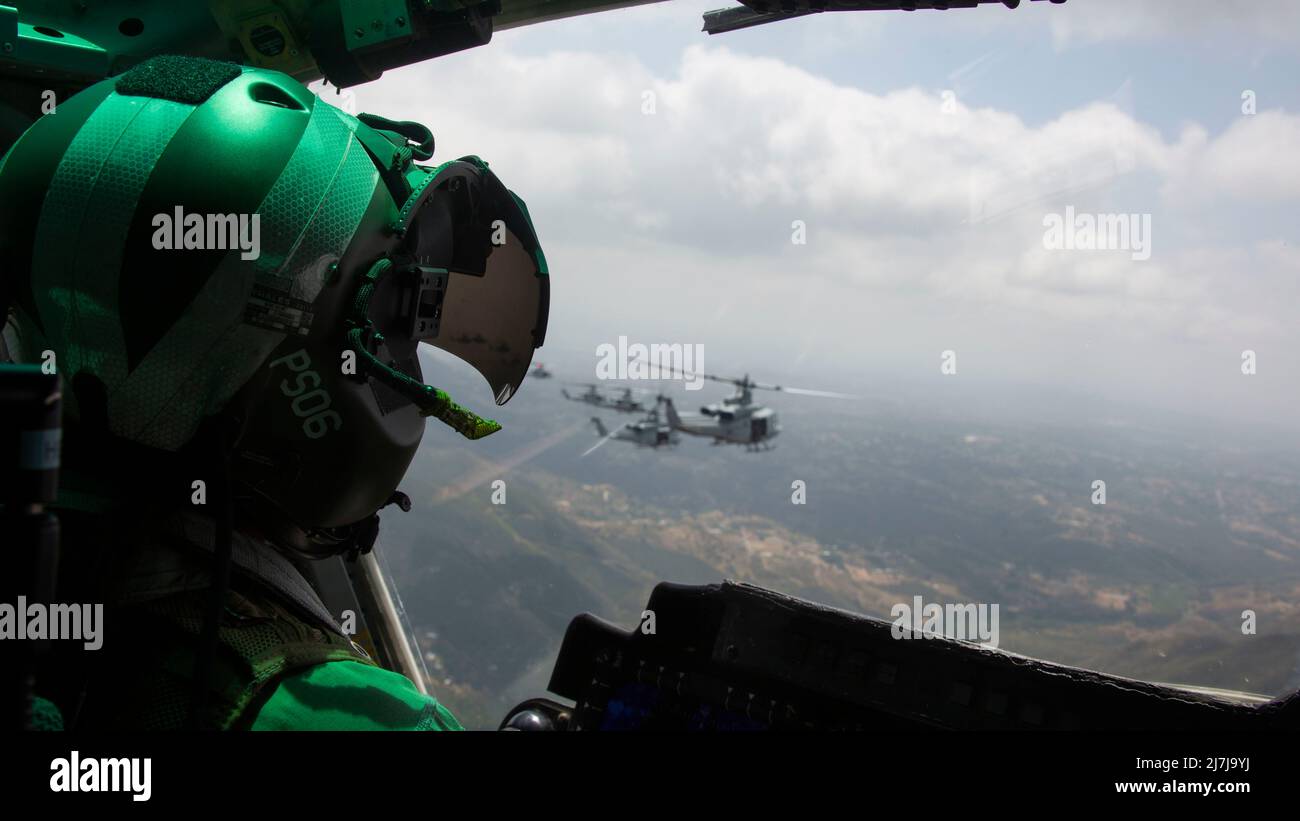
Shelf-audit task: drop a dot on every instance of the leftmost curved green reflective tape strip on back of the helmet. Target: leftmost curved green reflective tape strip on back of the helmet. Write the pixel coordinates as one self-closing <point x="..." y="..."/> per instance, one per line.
<point x="84" y="225"/>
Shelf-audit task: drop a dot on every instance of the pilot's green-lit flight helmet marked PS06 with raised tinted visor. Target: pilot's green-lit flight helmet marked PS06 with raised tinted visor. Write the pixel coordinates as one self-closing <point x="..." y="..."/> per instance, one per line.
<point x="198" y="240"/>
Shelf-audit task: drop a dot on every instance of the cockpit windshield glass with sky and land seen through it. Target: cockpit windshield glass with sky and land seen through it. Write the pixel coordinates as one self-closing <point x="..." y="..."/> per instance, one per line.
<point x="1046" y="262"/>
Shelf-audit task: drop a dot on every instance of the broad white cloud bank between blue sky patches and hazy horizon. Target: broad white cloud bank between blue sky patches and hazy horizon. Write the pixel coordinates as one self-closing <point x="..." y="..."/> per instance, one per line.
<point x="921" y="224"/>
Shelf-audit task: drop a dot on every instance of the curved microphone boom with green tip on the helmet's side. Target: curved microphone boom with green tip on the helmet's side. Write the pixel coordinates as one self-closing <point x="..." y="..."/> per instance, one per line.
<point x="431" y="401"/>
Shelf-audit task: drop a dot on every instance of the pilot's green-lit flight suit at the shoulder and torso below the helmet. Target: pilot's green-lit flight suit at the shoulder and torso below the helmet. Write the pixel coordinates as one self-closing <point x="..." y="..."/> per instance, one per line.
<point x="283" y="663"/>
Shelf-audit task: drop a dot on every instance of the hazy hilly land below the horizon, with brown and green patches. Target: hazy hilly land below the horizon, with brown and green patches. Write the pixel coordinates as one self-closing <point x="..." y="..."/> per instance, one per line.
<point x="902" y="502"/>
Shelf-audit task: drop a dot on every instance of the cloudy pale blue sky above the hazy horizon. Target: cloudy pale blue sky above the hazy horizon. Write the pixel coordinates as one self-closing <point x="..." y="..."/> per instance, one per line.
<point x="921" y="159"/>
